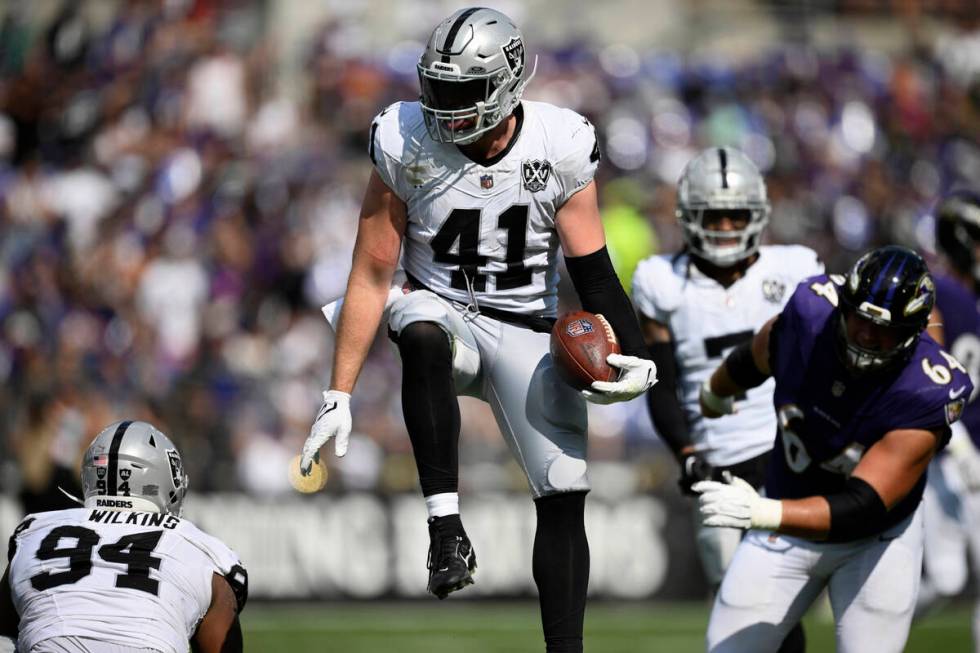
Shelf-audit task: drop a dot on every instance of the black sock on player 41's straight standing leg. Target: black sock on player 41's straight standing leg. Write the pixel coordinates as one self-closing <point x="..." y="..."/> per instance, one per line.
<point x="561" y="569"/>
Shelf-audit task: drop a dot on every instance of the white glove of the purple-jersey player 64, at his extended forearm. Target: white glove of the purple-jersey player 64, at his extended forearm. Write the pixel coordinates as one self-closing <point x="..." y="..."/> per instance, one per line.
<point x="736" y="504"/>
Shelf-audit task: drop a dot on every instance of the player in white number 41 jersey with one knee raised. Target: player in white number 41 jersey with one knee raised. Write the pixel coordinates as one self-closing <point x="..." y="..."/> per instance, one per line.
<point x="483" y="188"/>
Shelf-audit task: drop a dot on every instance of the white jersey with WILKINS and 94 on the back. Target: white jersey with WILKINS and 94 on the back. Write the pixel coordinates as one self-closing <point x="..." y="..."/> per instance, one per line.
<point x="136" y="579"/>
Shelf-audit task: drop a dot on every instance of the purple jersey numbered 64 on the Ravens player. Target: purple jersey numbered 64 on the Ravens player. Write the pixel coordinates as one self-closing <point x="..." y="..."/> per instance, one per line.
<point x="829" y="418"/>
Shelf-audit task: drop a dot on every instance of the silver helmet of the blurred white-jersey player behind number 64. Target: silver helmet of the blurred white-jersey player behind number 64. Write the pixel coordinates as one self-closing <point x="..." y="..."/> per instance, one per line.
<point x="722" y="179"/>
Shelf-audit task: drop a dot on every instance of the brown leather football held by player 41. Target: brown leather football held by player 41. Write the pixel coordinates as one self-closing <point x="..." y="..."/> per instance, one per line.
<point x="580" y="343"/>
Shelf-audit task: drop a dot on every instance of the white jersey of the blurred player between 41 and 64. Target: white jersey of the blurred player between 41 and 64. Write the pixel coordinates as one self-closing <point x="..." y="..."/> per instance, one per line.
<point x="707" y="321"/>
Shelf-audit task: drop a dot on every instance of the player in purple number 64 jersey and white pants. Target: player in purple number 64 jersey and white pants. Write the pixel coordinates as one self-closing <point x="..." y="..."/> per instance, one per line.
<point x="864" y="398"/>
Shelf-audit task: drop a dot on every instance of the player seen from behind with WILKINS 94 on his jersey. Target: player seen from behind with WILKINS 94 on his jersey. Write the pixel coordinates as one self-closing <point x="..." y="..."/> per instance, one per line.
<point x="124" y="572"/>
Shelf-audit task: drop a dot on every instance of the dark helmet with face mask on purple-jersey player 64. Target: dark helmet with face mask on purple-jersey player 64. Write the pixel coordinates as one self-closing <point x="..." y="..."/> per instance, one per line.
<point x="884" y="306"/>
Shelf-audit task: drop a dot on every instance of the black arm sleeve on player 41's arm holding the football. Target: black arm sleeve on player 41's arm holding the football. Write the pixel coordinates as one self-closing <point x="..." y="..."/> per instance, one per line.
<point x="599" y="291"/>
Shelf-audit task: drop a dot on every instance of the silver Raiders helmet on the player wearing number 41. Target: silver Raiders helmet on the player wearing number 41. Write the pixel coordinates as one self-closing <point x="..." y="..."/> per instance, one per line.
<point x="472" y="74"/>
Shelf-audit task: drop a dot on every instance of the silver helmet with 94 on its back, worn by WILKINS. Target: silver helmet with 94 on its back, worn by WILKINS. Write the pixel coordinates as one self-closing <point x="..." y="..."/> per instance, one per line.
<point x="133" y="466"/>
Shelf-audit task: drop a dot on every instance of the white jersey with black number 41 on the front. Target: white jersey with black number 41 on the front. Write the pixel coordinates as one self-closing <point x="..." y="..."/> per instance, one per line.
<point x="489" y="229"/>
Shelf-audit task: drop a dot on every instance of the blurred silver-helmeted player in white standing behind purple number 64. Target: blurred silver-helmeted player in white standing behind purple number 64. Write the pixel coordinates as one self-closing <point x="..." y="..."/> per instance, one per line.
<point x="696" y="306"/>
